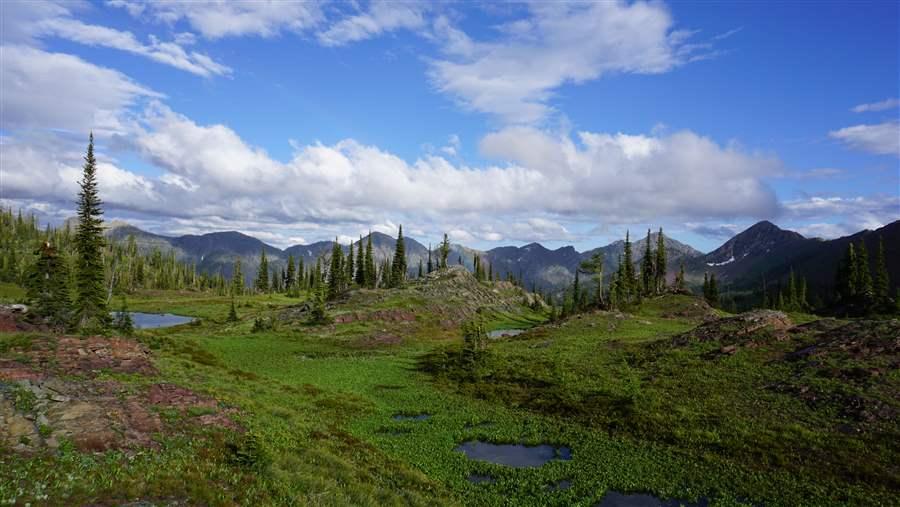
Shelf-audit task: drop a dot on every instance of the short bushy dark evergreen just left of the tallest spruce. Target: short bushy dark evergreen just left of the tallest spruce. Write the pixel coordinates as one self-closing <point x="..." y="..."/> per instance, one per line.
<point x="48" y="288"/>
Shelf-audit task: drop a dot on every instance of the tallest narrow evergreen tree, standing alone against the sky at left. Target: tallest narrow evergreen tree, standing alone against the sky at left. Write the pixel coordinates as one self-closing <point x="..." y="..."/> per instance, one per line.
<point x="91" y="302"/>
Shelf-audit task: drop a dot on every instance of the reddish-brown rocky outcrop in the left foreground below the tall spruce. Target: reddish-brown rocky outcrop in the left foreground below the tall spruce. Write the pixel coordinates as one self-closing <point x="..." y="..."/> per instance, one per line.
<point x="51" y="391"/>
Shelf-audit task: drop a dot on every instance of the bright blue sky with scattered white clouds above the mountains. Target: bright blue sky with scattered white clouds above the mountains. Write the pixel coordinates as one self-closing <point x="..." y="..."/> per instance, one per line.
<point x="564" y="123"/>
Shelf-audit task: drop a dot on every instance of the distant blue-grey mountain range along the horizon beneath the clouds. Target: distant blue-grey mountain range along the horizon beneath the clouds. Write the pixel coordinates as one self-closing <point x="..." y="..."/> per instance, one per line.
<point x="762" y="252"/>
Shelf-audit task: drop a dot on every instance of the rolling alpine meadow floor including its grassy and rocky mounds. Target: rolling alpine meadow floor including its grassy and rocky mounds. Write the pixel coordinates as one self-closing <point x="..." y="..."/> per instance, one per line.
<point x="737" y="411"/>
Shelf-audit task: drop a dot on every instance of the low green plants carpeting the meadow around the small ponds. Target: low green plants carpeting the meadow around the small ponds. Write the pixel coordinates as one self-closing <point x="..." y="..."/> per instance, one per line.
<point x="639" y="415"/>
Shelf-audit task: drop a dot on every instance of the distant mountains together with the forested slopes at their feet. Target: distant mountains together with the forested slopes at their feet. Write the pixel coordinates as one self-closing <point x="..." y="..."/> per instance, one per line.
<point x="754" y="268"/>
